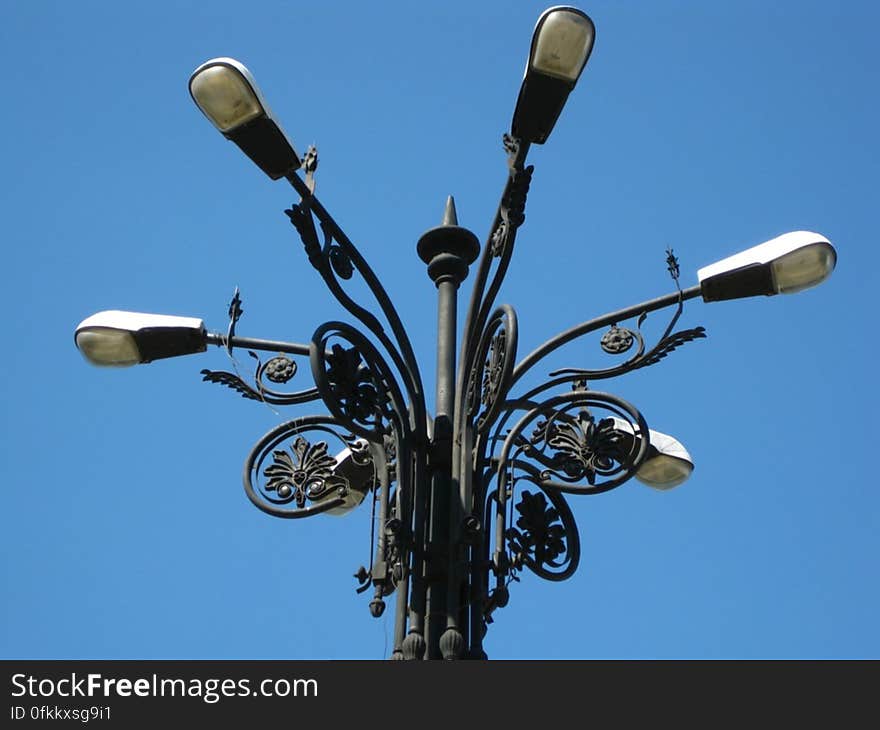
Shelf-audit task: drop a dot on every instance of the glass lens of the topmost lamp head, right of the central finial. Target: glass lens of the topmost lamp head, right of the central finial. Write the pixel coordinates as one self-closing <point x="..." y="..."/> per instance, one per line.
<point x="563" y="44"/>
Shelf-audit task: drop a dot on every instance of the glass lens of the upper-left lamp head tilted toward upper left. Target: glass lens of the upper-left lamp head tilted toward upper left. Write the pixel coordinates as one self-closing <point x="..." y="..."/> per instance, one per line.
<point x="225" y="97"/>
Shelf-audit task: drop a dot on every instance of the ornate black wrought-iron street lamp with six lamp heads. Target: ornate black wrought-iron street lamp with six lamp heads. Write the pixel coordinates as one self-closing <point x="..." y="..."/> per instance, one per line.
<point x="469" y="496"/>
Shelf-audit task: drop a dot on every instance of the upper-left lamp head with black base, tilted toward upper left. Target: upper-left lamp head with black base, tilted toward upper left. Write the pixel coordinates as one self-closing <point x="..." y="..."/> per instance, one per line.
<point x="228" y="96"/>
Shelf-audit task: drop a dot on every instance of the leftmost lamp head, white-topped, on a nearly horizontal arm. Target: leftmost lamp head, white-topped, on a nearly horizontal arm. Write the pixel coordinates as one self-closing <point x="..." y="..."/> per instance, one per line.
<point x="120" y="339"/>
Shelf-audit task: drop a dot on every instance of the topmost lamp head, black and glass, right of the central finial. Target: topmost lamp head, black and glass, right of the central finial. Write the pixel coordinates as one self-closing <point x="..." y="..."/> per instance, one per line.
<point x="561" y="45"/>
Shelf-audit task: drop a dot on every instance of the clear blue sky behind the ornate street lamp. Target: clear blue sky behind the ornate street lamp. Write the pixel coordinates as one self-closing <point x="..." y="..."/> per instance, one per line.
<point x="708" y="127"/>
